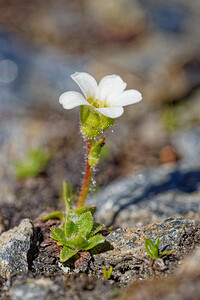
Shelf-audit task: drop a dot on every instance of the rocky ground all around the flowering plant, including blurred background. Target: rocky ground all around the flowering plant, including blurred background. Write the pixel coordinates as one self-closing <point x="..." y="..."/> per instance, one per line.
<point x="148" y="180"/>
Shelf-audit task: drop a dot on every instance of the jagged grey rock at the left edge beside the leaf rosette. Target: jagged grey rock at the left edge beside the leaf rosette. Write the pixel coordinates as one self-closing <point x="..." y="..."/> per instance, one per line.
<point x="16" y="249"/>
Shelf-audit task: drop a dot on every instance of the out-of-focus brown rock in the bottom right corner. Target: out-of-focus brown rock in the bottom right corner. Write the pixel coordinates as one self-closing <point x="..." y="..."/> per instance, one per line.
<point x="185" y="285"/>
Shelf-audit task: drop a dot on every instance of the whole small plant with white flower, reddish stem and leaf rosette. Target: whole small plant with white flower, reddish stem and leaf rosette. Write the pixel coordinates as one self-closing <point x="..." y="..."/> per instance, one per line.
<point x="100" y="104"/>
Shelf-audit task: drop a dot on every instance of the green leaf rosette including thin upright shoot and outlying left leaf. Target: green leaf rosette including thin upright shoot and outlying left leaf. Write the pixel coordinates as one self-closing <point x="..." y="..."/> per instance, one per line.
<point x="77" y="231"/>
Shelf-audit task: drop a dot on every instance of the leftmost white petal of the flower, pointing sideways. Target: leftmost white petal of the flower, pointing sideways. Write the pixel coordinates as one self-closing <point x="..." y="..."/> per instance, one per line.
<point x="72" y="99"/>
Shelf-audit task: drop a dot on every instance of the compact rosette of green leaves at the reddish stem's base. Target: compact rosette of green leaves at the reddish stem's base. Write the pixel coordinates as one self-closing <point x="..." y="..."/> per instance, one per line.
<point x="77" y="233"/>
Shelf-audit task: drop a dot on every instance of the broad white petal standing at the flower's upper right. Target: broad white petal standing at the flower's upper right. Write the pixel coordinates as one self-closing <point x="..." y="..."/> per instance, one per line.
<point x="109" y="87"/>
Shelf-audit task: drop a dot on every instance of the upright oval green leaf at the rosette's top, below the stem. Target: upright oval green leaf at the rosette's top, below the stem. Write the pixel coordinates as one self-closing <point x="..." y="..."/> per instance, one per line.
<point x="85" y="223"/>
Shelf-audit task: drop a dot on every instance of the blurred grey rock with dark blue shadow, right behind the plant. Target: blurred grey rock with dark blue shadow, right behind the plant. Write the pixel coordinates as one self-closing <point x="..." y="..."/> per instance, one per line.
<point x="157" y="193"/>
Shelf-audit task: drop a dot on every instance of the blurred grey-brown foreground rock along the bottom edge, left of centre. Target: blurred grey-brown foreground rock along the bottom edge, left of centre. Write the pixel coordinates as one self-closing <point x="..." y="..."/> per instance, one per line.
<point x="71" y="287"/>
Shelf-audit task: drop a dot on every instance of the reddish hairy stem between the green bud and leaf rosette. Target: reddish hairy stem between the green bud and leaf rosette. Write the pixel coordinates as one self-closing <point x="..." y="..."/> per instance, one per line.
<point x="86" y="180"/>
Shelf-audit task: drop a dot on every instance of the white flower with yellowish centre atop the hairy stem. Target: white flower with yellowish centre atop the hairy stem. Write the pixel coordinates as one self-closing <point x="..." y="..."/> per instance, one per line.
<point x="108" y="98"/>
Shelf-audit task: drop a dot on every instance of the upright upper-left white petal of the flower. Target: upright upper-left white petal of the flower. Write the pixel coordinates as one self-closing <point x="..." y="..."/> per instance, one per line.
<point x="86" y="82"/>
